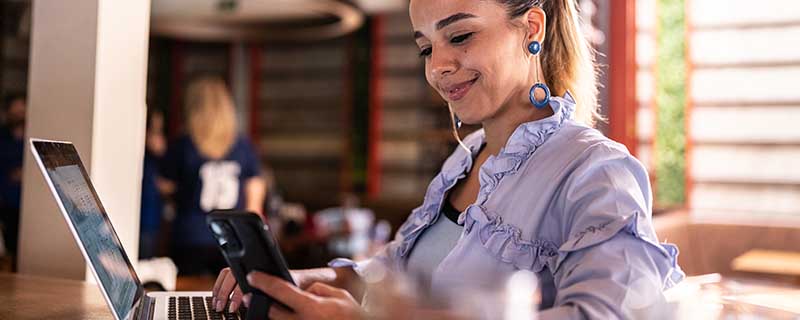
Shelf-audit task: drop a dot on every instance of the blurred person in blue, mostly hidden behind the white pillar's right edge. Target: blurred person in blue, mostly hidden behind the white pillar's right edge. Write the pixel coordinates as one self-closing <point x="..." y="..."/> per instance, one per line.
<point x="152" y="204"/>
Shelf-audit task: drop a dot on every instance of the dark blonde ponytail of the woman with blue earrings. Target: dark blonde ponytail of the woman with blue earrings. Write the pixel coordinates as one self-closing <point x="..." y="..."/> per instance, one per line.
<point x="567" y="58"/>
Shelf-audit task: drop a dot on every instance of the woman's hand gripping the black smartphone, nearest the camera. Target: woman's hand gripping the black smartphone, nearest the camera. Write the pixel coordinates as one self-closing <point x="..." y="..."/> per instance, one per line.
<point x="319" y="301"/>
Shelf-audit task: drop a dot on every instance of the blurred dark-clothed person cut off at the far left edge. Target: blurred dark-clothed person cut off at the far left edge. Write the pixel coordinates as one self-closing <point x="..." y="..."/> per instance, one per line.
<point x="11" y="149"/>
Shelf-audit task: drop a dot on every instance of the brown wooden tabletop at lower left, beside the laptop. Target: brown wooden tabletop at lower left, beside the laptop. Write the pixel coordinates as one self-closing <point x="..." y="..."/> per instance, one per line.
<point x="29" y="297"/>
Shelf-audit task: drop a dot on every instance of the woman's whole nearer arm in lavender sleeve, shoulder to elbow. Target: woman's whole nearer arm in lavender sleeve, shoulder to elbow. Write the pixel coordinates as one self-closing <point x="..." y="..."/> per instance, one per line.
<point x="611" y="265"/>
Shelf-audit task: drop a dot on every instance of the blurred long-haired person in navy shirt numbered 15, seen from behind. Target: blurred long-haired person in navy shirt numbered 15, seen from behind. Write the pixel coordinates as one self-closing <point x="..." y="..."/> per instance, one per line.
<point x="210" y="167"/>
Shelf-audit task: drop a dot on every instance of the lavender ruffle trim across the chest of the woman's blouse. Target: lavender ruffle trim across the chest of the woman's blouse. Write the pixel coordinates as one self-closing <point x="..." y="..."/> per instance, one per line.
<point x="504" y="241"/>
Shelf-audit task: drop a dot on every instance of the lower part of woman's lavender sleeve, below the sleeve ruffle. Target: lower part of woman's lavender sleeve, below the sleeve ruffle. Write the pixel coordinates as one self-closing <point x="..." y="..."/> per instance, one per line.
<point x="616" y="279"/>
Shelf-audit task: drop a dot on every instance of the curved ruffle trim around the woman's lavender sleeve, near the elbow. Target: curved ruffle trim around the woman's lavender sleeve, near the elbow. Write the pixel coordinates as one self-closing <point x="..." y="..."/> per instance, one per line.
<point x="594" y="235"/>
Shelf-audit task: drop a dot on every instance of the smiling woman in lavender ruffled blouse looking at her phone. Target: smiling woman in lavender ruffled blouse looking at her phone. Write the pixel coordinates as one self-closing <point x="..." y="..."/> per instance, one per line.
<point x="537" y="190"/>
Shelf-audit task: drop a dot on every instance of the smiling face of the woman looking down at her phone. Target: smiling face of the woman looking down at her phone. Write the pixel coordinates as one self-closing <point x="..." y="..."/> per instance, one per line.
<point x="474" y="58"/>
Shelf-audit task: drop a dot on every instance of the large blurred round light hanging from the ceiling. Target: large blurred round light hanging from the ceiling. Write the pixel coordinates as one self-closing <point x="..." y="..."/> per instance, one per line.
<point x="254" y="20"/>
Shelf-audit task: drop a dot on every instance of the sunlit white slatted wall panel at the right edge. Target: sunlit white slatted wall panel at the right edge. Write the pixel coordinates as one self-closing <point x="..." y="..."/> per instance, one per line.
<point x="745" y="109"/>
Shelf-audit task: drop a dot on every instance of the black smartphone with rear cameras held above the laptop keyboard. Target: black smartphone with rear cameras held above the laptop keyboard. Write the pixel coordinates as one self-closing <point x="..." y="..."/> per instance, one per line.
<point x="248" y="245"/>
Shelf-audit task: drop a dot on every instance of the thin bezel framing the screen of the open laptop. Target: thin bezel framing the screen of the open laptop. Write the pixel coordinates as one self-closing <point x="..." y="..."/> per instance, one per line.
<point x="139" y="288"/>
